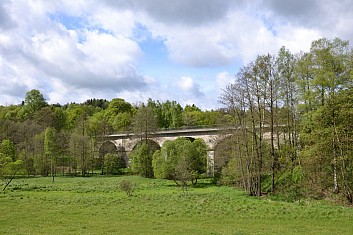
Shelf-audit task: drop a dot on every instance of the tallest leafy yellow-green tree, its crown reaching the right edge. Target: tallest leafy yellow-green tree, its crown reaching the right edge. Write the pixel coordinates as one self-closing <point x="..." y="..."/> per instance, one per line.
<point x="329" y="63"/>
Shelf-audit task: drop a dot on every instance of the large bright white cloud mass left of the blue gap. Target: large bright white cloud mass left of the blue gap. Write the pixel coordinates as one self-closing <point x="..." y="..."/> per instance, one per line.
<point x="42" y="53"/>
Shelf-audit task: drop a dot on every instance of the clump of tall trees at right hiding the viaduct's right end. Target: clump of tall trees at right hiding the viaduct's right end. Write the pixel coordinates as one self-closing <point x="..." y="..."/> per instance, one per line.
<point x="294" y="114"/>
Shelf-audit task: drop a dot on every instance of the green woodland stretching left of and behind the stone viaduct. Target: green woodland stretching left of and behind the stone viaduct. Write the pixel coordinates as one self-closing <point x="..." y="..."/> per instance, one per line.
<point x="51" y="139"/>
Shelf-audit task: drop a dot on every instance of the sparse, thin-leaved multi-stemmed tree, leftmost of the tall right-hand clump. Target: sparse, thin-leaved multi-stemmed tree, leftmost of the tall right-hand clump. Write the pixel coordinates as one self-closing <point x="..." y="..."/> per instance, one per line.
<point x="251" y="101"/>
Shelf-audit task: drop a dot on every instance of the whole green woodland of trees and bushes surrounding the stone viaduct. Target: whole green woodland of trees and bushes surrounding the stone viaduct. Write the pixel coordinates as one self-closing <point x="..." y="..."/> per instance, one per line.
<point x="293" y="135"/>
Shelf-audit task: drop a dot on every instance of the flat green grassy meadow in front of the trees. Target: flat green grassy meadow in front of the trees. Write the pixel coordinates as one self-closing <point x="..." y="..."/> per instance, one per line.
<point x="95" y="205"/>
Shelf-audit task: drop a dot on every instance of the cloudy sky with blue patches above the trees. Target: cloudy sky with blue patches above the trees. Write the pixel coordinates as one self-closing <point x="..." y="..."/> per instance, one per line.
<point x="183" y="50"/>
